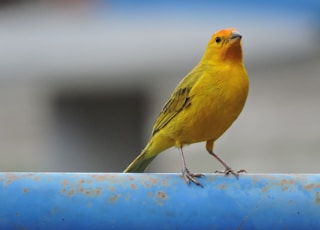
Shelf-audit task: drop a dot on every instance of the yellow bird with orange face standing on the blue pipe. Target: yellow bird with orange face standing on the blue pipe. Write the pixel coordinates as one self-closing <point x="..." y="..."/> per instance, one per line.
<point x="203" y="105"/>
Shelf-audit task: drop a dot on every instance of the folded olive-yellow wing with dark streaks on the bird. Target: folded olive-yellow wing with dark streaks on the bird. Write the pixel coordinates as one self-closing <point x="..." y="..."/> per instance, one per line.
<point x="179" y="100"/>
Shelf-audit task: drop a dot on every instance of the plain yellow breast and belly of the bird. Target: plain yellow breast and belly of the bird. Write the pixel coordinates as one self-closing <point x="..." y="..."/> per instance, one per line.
<point x="216" y="100"/>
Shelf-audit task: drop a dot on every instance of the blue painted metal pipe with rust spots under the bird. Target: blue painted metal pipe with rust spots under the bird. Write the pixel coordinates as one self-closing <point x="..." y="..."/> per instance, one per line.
<point x="158" y="201"/>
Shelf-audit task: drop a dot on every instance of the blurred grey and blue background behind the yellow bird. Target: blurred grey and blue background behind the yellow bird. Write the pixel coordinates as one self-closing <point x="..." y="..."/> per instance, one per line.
<point x="81" y="82"/>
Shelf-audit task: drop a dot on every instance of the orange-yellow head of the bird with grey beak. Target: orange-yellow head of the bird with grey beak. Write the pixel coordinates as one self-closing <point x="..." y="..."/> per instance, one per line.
<point x="224" y="46"/>
